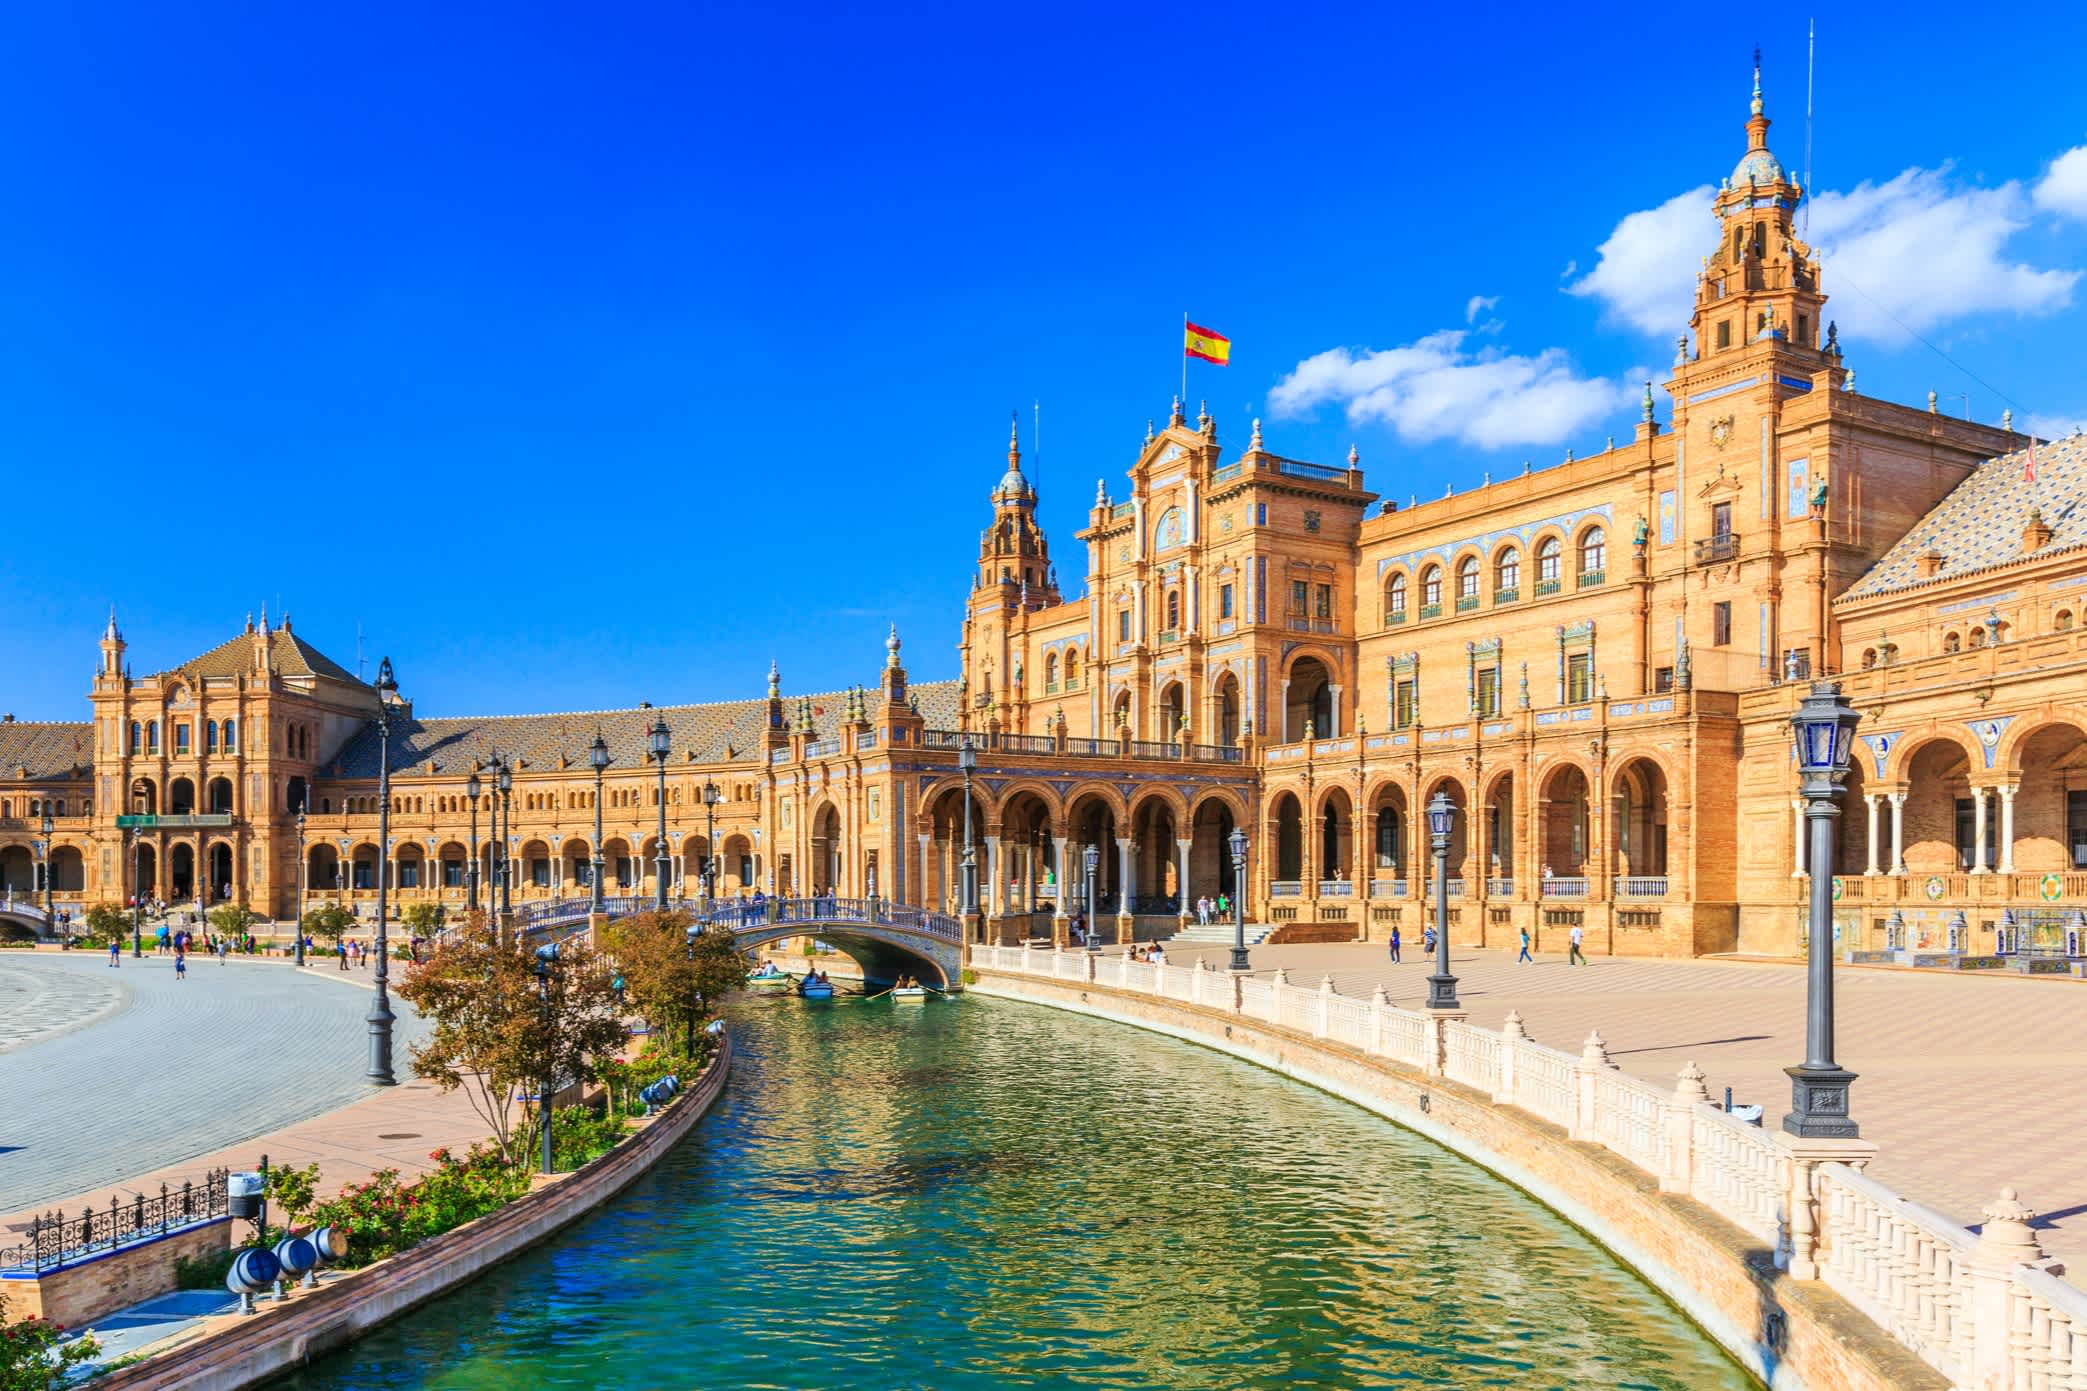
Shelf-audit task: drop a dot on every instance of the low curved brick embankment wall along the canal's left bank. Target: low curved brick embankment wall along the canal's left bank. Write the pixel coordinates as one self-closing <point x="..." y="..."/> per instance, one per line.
<point x="249" y="1350"/>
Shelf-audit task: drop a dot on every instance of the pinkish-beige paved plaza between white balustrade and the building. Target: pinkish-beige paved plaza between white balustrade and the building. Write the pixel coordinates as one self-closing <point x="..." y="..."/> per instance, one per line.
<point x="1967" y="1083"/>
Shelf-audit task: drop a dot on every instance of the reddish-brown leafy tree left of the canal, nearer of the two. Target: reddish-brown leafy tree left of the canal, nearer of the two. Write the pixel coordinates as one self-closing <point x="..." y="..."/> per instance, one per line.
<point x="498" y="1031"/>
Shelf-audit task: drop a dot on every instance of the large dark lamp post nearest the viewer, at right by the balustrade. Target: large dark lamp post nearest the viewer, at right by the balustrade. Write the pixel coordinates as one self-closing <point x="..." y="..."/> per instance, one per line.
<point x="1825" y="729"/>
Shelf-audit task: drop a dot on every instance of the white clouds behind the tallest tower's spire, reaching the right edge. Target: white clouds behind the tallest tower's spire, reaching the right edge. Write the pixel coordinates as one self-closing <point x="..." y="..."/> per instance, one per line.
<point x="1921" y="247"/>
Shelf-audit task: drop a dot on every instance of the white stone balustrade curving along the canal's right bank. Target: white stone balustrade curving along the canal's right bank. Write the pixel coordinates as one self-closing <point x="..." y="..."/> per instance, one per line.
<point x="1982" y="1309"/>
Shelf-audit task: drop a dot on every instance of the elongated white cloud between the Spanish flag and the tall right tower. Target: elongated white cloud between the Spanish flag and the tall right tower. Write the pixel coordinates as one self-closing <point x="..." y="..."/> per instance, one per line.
<point x="1437" y="389"/>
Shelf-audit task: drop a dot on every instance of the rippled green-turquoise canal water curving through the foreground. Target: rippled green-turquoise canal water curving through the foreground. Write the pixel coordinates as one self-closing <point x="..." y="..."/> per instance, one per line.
<point x="982" y="1194"/>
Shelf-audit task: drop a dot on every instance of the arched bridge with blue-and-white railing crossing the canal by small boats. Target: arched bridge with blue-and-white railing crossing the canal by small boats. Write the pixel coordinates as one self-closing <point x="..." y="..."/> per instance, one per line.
<point x="888" y="939"/>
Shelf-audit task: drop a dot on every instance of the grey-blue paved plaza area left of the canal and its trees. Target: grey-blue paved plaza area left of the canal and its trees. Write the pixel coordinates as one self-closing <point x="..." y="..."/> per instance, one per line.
<point x="122" y="1073"/>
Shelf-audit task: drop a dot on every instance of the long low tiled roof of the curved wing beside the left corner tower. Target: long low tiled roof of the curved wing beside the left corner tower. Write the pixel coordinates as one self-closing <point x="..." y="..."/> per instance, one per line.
<point x="723" y="733"/>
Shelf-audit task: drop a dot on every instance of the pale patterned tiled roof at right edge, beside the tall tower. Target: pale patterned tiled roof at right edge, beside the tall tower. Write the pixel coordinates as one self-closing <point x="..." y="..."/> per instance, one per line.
<point x="1984" y="518"/>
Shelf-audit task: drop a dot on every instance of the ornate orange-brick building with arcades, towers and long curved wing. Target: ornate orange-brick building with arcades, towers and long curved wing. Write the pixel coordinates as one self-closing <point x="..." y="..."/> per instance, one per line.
<point x="1593" y="662"/>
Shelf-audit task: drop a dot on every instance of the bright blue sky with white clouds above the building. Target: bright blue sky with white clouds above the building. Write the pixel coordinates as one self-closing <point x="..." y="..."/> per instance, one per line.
<point x="594" y="358"/>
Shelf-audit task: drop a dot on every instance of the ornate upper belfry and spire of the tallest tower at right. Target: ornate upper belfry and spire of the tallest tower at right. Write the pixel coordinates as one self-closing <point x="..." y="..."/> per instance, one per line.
<point x="1762" y="285"/>
